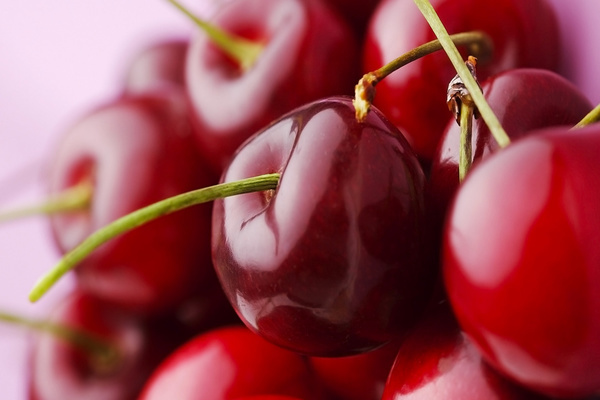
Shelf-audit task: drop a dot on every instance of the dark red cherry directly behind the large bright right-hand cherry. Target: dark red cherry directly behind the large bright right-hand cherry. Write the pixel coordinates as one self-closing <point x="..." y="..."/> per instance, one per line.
<point x="523" y="100"/>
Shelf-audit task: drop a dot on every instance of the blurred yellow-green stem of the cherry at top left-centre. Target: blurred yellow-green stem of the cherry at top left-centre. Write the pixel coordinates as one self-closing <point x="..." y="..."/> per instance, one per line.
<point x="245" y="52"/>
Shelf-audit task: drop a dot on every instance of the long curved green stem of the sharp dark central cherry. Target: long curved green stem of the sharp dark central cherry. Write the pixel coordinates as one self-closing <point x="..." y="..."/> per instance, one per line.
<point x="147" y="214"/>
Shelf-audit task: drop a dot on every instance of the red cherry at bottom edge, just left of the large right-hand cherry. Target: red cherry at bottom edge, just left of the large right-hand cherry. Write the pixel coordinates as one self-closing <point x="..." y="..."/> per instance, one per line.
<point x="438" y="362"/>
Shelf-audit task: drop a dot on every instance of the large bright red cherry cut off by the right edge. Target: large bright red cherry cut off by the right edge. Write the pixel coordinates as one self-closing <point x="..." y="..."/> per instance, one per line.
<point x="521" y="260"/>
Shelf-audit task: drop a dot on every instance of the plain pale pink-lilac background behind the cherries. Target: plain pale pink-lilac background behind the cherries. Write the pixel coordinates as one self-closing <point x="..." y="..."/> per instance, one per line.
<point x="59" y="58"/>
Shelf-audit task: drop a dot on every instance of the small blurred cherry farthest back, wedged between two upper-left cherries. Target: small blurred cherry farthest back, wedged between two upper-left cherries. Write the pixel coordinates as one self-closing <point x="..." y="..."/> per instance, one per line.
<point x="156" y="66"/>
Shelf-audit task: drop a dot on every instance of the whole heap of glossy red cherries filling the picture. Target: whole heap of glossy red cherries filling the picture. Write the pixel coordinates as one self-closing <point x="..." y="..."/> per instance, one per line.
<point x="343" y="257"/>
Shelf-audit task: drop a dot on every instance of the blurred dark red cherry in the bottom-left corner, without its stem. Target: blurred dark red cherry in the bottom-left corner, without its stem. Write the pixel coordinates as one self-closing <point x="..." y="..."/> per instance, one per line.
<point x="60" y="370"/>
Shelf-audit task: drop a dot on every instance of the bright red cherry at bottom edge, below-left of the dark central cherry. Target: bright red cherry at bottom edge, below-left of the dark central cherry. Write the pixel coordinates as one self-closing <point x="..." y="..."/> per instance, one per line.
<point x="229" y="363"/>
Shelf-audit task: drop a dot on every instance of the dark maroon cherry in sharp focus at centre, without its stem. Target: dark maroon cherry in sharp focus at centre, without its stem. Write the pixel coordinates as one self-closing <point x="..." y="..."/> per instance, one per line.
<point x="334" y="261"/>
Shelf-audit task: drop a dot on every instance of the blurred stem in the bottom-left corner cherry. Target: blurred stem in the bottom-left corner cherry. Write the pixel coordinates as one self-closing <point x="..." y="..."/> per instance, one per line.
<point x="104" y="353"/>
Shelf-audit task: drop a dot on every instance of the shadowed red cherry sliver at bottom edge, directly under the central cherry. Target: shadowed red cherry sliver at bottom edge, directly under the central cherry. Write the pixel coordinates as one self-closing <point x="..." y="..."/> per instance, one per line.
<point x="359" y="377"/>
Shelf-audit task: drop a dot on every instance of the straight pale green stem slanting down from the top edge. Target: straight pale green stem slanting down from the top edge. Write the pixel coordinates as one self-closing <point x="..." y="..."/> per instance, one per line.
<point x="483" y="107"/>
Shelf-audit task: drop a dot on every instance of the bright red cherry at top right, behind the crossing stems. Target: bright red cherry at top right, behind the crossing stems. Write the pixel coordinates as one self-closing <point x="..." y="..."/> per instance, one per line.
<point x="524" y="34"/>
